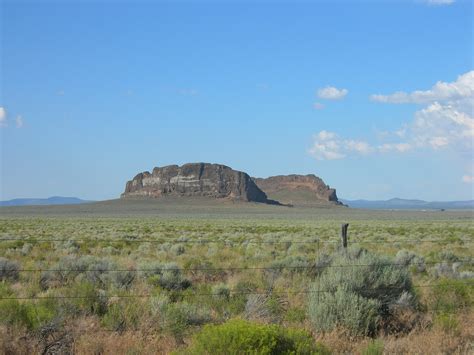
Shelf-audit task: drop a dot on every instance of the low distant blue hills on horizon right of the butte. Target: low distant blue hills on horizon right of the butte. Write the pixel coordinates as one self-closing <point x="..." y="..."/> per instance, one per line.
<point x="404" y="204"/>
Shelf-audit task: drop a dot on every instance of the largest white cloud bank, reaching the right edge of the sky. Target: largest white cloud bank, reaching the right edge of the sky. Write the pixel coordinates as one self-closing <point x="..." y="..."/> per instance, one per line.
<point x="445" y="122"/>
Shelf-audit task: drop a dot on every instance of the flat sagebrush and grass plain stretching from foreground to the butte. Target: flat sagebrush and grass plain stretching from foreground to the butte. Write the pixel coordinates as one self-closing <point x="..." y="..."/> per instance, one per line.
<point x="148" y="275"/>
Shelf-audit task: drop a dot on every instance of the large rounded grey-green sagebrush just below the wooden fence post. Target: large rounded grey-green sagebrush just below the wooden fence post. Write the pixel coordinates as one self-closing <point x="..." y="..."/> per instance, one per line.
<point x="359" y="290"/>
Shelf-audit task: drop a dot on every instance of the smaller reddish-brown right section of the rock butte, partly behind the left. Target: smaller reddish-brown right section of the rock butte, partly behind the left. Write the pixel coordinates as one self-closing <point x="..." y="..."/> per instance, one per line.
<point x="297" y="189"/>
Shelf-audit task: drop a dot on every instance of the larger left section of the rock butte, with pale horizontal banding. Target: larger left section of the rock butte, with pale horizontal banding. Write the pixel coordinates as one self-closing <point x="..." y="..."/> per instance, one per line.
<point x="196" y="179"/>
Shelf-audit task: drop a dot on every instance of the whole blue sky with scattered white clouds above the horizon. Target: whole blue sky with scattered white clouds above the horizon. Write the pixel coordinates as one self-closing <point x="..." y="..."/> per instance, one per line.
<point x="375" y="97"/>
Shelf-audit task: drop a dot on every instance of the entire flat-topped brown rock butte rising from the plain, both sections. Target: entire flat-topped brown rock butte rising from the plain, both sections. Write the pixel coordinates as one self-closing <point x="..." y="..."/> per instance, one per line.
<point x="220" y="181"/>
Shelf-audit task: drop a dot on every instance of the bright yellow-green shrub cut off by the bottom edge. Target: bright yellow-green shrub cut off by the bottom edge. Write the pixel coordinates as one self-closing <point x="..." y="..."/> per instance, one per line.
<point x="242" y="337"/>
